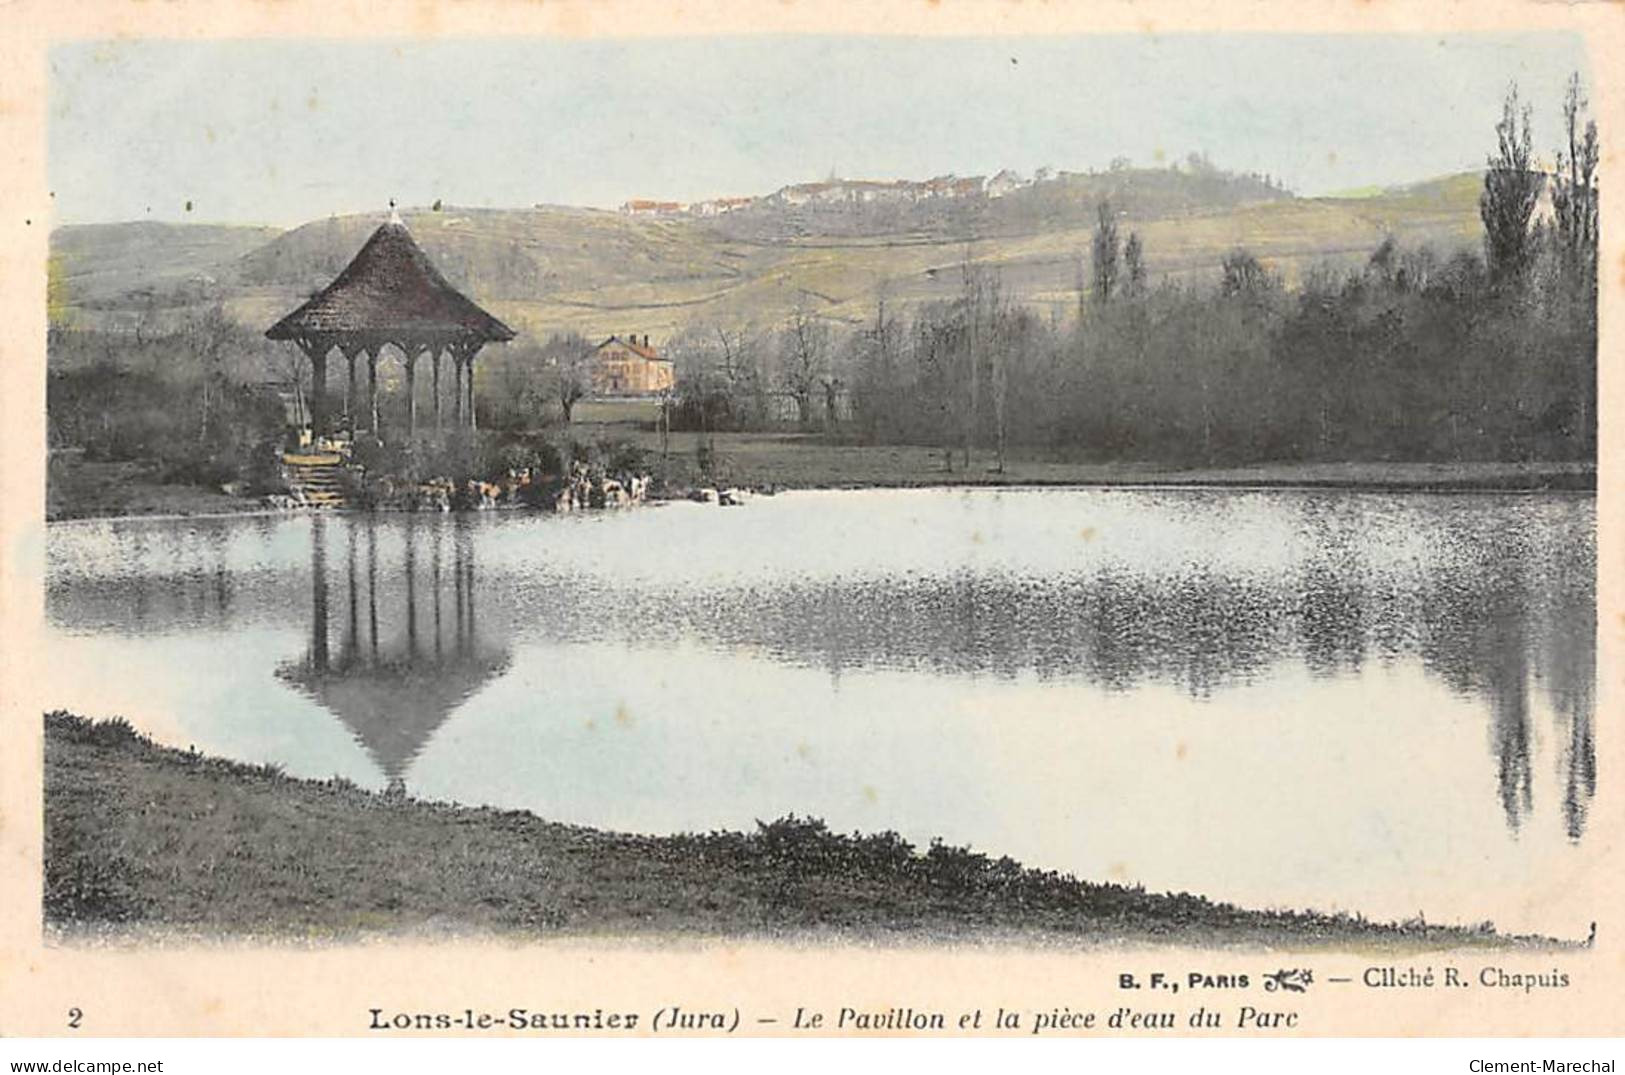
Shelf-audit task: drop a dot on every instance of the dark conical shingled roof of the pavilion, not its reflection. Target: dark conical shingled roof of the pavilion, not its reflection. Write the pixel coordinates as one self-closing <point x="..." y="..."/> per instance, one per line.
<point x="391" y="291"/>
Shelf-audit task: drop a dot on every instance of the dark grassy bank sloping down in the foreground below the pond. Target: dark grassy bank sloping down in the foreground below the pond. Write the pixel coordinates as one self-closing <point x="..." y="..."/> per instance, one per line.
<point x="141" y="835"/>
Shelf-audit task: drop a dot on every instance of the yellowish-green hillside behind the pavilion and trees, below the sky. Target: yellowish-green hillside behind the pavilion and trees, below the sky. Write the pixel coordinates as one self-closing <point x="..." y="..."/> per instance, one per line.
<point x="553" y="269"/>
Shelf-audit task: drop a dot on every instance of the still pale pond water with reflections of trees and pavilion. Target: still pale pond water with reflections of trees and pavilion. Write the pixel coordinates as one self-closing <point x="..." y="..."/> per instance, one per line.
<point x="1345" y="701"/>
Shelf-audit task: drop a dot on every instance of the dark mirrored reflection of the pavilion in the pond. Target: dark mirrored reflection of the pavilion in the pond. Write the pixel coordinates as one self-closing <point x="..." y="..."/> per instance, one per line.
<point x="410" y="649"/>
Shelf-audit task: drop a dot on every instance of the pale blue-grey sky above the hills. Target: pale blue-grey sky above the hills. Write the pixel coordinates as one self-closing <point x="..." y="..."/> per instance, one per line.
<point x="282" y="132"/>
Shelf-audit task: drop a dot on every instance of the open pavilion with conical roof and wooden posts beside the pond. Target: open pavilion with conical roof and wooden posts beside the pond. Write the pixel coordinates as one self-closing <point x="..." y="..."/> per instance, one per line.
<point x="391" y="295"/>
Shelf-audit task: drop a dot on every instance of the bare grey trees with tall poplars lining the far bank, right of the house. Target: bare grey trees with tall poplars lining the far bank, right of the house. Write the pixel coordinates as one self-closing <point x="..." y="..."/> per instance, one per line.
<point x="1416" y="355"/>
